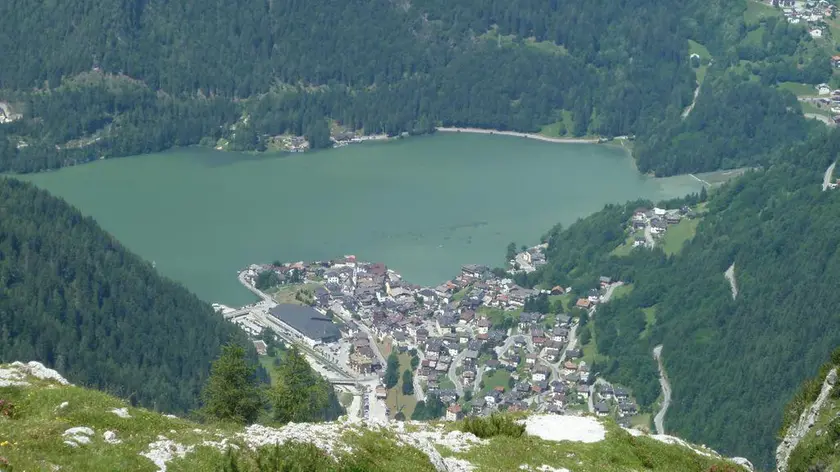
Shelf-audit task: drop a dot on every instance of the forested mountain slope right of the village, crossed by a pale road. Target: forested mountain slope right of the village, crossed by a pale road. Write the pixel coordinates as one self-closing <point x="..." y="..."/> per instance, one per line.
<point x="732" y="364"/>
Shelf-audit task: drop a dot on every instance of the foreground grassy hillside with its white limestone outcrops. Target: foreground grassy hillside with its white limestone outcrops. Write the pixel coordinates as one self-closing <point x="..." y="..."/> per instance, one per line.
<point x="46" y="424"/>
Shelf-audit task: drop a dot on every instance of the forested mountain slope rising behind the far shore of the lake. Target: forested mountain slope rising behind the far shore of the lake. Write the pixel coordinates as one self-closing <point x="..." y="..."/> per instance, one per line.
<point x="113" y="77"/>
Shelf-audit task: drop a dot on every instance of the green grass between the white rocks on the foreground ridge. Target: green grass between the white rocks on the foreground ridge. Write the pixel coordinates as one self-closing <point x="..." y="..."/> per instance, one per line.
<point x="32" y="440"/>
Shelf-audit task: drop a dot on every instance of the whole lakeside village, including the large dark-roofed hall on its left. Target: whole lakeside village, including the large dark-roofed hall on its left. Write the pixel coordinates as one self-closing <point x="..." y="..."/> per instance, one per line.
<point x="475" y="347"/>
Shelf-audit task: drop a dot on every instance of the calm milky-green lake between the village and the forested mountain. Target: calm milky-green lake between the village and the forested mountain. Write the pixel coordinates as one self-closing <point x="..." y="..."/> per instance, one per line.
<point x="424" y="206"/>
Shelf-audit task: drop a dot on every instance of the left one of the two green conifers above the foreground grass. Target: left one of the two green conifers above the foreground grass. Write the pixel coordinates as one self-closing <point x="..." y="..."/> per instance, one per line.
<point x="231" y="393"/>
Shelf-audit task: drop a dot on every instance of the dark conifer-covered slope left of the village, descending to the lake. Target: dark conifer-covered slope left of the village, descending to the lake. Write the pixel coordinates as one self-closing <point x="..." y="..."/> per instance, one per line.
<point x="72" y="297"/>
